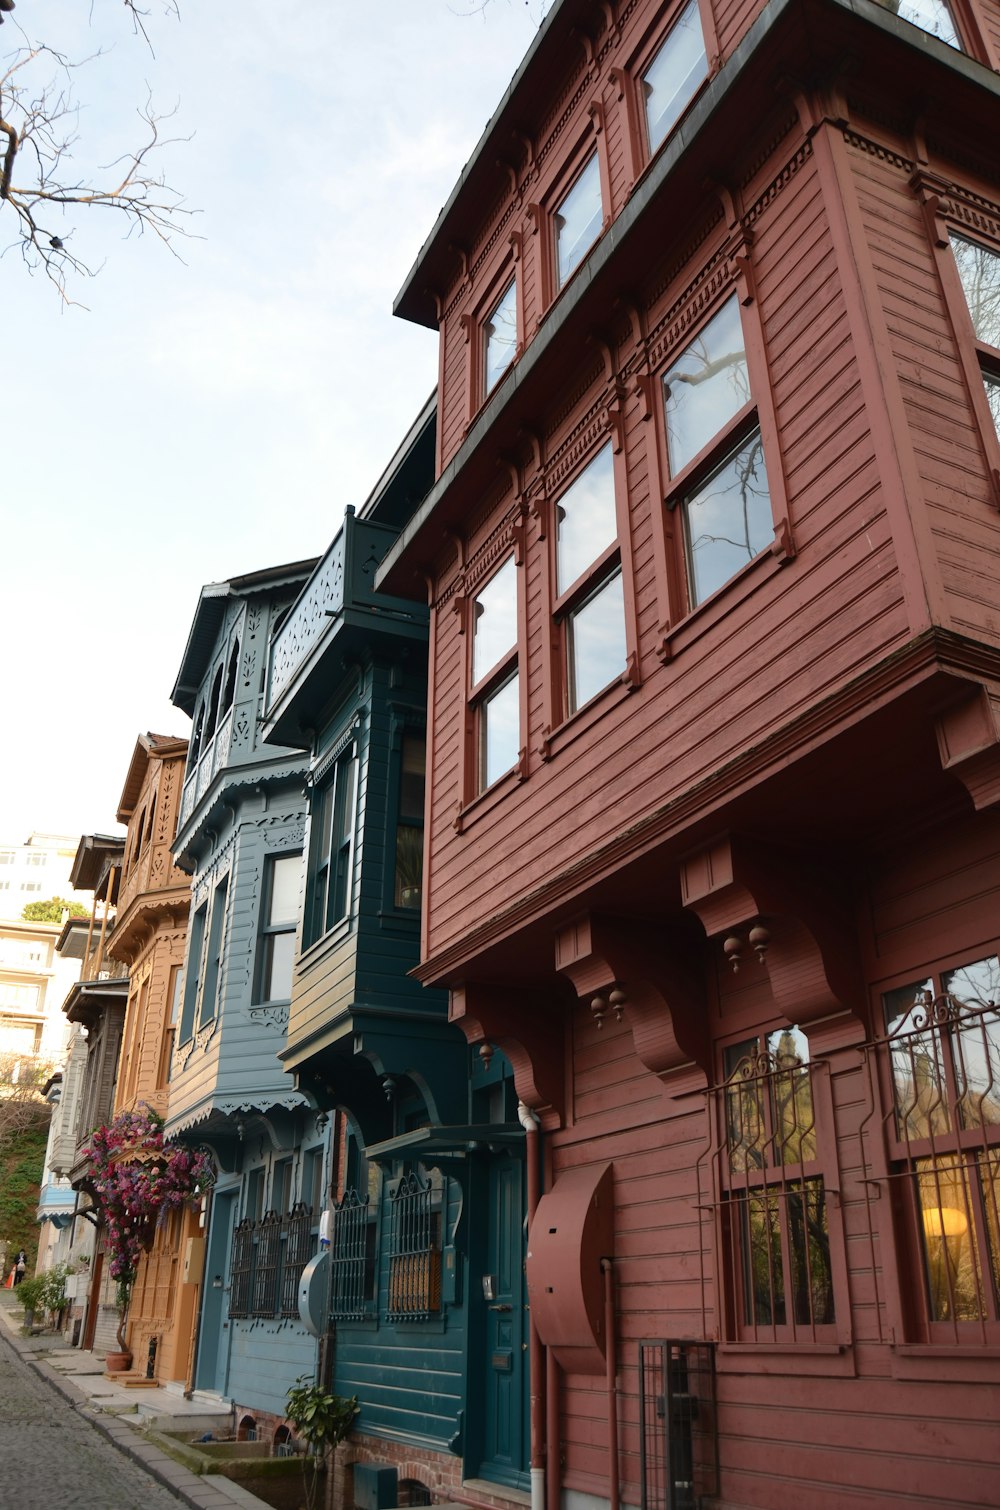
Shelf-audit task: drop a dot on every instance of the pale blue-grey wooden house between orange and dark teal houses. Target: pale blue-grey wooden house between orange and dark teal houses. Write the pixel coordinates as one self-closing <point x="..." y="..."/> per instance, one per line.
<point x="241" y="837"/>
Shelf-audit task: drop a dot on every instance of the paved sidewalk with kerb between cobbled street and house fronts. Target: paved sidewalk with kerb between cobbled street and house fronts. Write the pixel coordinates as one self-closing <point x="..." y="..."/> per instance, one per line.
<point x="125" y="1416"/>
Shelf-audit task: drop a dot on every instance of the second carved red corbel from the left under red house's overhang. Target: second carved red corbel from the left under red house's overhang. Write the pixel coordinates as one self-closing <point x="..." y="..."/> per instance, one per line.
<point x="655" y="982"/>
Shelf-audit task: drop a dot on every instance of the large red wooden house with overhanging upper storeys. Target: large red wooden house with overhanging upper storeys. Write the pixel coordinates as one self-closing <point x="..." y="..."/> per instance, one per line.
<point x="714" y="827"/>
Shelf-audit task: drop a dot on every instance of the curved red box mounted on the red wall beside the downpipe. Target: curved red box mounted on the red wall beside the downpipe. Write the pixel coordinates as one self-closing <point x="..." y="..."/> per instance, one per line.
<point x="572" y="1233"/>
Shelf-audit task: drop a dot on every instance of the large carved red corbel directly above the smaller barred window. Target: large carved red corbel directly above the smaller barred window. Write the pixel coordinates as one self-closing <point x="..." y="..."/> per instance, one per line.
<point x="806" y="932"/>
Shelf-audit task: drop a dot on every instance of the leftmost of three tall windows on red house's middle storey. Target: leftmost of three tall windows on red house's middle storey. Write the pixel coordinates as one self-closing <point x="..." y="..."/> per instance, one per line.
<point x="496" y="686"/>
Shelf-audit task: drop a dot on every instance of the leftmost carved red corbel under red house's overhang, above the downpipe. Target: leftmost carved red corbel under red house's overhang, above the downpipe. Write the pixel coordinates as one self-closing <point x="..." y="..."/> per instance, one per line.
<point x="528" y="1025"/>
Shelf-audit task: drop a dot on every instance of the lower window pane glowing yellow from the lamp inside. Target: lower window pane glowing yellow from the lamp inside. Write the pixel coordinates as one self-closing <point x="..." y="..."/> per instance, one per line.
<point x="951" y="1257"/>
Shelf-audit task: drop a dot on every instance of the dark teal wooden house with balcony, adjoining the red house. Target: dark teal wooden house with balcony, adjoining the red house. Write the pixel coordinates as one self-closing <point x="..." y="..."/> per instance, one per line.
<point x="427" y="1197"/>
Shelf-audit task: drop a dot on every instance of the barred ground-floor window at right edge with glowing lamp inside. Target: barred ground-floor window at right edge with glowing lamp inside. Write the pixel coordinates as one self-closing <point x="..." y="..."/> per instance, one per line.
<point x="943" y="1062"/>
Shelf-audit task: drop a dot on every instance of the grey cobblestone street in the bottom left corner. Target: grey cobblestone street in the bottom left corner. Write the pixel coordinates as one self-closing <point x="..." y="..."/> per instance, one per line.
<point x="52" y="1456"/>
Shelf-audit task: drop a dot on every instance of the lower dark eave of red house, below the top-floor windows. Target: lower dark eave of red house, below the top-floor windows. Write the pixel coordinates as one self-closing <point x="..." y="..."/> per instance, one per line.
<point x="791" y="40"/>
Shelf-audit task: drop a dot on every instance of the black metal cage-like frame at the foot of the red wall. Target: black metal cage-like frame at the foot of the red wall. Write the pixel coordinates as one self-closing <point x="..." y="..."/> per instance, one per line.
<point x="679" y="1438"/>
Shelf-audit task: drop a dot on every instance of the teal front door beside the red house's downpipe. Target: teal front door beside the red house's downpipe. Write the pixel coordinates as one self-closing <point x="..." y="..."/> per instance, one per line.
<point x="505" y="1363"/>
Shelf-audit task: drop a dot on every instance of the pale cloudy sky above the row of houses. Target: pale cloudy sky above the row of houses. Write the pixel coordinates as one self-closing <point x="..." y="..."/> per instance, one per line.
<point x="196" y="419"/>
